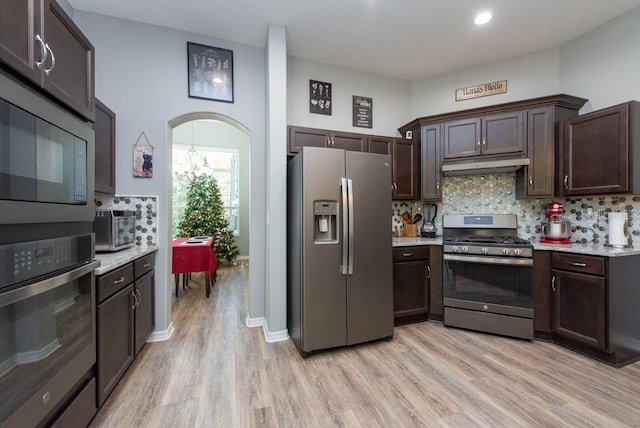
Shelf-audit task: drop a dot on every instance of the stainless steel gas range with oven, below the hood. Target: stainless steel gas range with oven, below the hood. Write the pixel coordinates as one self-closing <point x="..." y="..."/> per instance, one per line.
<point x="487" y="275"/>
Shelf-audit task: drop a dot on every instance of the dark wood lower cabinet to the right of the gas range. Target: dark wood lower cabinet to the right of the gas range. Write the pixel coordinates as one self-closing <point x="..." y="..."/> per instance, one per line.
<point x="593" y="305"/>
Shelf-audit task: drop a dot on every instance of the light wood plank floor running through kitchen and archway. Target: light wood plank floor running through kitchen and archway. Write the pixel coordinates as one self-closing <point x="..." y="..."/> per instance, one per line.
<point x="215" y="372"/>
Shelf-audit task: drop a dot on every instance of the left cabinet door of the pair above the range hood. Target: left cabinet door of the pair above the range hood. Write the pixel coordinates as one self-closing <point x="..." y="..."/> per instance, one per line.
<point x="461" y="138"/>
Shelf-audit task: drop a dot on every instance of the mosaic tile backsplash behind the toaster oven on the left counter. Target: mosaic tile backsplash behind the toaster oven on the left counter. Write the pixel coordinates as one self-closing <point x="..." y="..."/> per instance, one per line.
<point x="146" y="209"/>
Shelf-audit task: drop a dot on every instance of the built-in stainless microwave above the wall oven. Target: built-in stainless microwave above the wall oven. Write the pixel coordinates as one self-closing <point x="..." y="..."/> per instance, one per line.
<point x="46" y="159"/>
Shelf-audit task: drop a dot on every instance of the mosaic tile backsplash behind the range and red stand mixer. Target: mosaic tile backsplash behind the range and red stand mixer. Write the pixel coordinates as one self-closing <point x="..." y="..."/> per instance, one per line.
<point x="495" y="194"/>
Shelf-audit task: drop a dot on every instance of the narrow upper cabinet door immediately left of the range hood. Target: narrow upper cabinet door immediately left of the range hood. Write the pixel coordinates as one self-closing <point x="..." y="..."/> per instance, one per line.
<point x="431" y="163"/>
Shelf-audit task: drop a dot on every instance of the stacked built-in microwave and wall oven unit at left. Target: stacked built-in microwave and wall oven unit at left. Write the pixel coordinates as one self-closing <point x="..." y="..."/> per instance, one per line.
<point x="47" y="280"/>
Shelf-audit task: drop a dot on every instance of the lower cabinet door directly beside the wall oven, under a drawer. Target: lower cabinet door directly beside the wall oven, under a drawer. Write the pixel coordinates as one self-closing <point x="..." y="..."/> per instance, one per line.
<point x="115" y="323"/>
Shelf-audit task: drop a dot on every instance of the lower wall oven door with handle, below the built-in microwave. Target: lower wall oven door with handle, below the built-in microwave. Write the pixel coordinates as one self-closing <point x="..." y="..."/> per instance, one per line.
<point x="47" y="343"/>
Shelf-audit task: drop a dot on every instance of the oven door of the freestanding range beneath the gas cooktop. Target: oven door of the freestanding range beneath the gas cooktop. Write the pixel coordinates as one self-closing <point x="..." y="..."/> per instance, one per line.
<point x="497" y="285"/>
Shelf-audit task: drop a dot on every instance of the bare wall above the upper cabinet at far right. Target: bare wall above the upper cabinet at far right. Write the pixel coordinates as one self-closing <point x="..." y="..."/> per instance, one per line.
<point x="604" y="64"/>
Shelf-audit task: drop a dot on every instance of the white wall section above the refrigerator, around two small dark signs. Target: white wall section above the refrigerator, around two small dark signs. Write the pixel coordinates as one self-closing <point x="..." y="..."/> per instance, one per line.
<point x="391" y="98"/>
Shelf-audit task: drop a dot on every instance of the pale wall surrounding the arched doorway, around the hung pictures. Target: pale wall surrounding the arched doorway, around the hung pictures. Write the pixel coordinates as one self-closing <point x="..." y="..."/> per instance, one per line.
<point x="141" y="74"/>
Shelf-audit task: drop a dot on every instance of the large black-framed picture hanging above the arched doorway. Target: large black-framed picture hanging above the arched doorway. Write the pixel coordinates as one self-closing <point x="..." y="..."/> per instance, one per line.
<point x="210" y="72"/>
